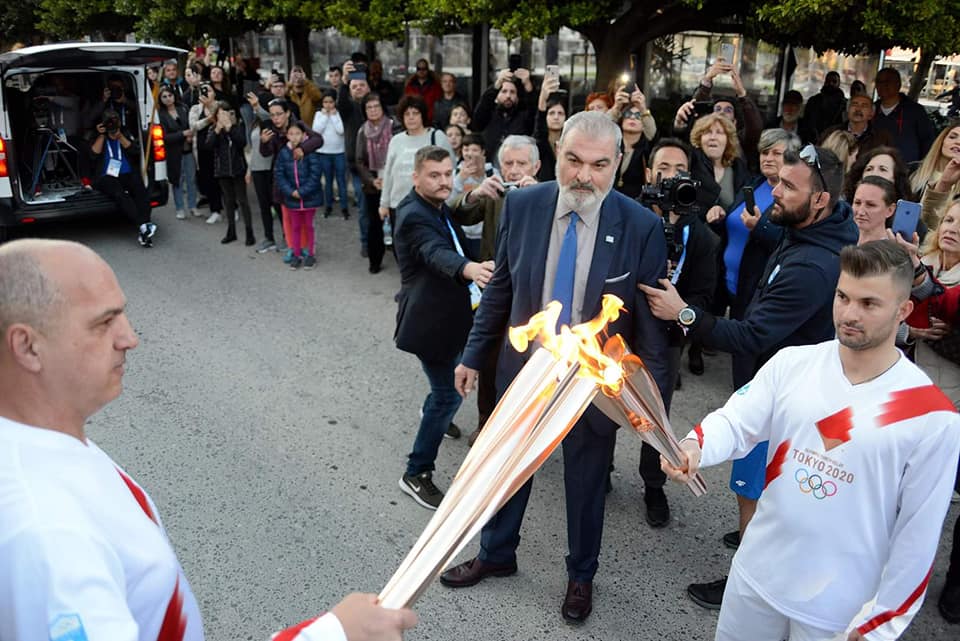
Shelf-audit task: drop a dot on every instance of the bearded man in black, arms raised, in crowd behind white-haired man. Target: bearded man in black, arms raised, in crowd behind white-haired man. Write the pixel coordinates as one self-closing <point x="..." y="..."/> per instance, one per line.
<point x="505" y="109"/>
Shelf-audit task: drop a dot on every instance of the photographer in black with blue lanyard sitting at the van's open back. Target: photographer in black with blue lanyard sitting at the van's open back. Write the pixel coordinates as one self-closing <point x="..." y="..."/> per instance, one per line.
<point x="118" y="158"/>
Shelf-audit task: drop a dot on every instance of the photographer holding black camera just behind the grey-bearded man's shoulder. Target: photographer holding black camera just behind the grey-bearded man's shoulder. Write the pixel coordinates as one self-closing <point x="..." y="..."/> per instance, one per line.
<point x="691" y="267"/>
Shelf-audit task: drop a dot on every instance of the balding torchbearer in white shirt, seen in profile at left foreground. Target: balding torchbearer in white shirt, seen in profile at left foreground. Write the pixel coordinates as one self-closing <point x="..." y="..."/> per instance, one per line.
<point x="83" y="554"/>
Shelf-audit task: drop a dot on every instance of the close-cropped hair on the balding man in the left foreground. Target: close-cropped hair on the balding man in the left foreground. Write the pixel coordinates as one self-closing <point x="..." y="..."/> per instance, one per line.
<point x="27" y="294"/>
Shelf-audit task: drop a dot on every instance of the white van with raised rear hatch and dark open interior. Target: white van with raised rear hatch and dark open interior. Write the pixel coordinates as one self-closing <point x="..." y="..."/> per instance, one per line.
<point x="51" y="98"/>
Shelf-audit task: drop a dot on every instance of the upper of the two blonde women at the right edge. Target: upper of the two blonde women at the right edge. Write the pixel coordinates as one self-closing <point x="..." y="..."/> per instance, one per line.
<point x="938" y="175"/>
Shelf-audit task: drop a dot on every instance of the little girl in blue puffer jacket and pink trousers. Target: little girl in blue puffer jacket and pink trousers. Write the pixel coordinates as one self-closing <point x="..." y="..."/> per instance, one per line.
<point x="298" y="181"/>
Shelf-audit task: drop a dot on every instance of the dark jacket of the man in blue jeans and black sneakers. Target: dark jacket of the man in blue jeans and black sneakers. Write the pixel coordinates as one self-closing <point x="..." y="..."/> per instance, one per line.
<point x="434" y="314"/>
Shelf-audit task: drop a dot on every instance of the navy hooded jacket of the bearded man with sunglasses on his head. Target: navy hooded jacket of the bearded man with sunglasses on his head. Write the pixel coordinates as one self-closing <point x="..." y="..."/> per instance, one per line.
<point x="793" y="302"/>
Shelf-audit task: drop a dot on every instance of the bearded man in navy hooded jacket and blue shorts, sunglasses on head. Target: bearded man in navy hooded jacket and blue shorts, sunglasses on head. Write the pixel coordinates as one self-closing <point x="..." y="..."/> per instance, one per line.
<point x="791" y="305"/>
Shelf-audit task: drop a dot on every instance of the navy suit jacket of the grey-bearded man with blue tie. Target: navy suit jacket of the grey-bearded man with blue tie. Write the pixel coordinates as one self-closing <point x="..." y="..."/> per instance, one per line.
<point x="630" y="249"/>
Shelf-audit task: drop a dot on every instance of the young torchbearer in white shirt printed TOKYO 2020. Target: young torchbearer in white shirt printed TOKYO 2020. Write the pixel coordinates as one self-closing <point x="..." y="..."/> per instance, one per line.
<point x="856" y="490"/>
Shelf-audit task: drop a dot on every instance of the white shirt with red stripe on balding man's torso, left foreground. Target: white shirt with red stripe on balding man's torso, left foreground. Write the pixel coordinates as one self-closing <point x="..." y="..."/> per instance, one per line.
<point x="83" y="555"/>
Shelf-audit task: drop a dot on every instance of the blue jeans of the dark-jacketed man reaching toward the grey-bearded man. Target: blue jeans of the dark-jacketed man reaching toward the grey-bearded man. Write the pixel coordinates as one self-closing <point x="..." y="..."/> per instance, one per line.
<point x="439" y="408"/>
